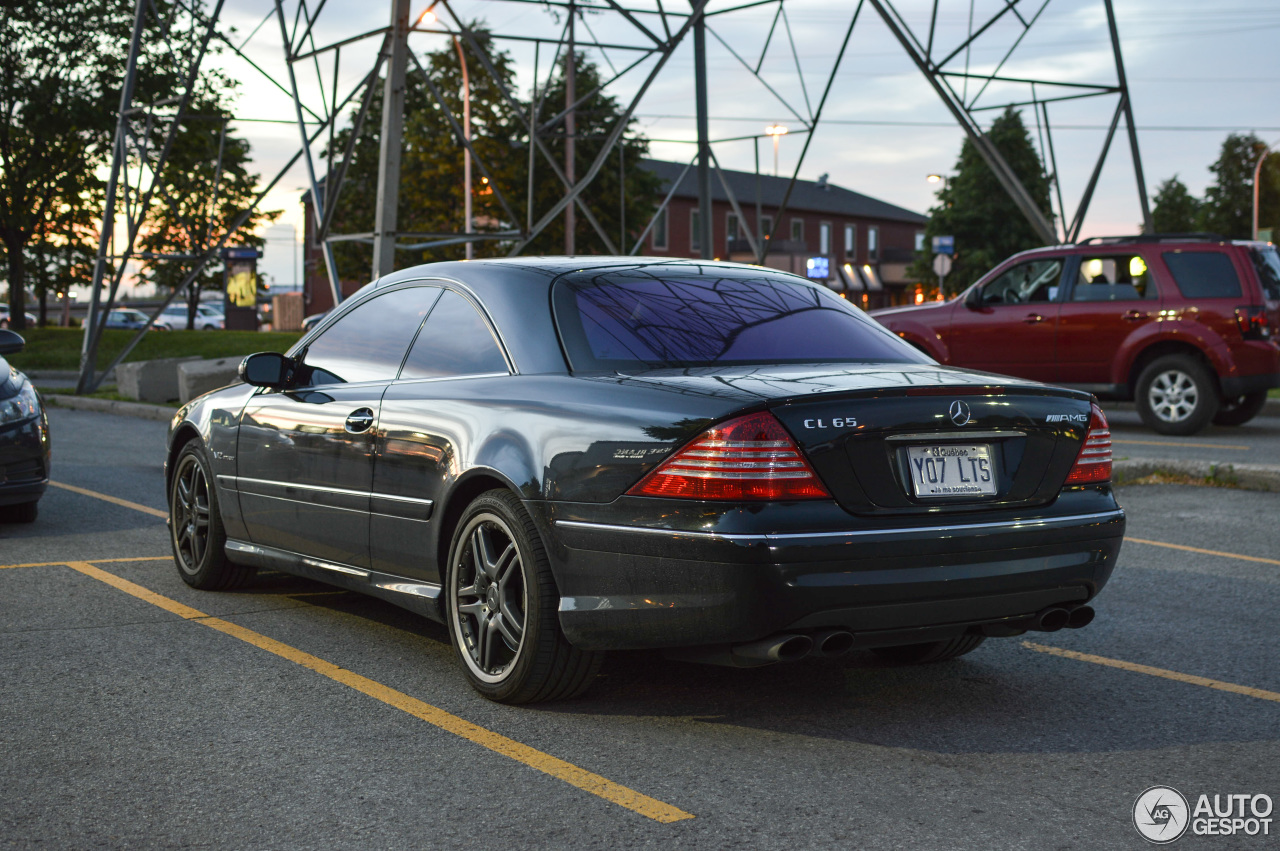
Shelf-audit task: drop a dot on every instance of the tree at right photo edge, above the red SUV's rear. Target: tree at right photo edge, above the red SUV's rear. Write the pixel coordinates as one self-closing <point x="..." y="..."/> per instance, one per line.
<point x="1228" y="207"/>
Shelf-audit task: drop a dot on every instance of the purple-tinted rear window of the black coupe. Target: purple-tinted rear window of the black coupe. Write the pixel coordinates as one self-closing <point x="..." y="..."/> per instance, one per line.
<point x="685" y="318"/>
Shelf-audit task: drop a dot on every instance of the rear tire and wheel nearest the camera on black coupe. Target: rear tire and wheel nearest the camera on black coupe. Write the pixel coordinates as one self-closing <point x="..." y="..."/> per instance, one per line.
<point x="500" y="593"/>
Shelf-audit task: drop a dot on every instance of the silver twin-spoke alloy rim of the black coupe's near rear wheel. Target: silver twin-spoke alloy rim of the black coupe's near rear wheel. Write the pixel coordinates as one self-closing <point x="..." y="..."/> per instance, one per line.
<point x="490" y="600"/>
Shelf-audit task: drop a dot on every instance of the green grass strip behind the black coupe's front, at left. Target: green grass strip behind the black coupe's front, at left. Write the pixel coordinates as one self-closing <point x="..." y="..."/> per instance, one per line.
<point x="58" y="349"/>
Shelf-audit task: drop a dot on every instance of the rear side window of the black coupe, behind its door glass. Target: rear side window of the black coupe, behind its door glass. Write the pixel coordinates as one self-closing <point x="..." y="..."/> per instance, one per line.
<point x="455" y="341"/>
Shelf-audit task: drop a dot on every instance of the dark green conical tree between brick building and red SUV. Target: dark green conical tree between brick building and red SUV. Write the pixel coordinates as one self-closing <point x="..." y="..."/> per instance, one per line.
<point x="975" y="208"/>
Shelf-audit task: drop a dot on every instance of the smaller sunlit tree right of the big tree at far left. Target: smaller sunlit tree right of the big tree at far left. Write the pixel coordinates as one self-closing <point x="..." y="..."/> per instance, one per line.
<point x="204" y="187"/>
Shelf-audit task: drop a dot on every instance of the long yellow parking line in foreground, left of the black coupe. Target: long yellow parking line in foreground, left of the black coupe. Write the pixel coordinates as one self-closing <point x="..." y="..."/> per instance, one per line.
<point x="573" y="775"/>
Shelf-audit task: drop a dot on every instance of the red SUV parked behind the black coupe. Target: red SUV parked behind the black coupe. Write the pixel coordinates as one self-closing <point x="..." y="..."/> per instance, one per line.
<point x="1183" y="324"/>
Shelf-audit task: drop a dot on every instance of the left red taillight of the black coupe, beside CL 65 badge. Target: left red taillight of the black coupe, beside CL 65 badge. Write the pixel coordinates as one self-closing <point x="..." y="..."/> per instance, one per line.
<point x="746" y="459"/>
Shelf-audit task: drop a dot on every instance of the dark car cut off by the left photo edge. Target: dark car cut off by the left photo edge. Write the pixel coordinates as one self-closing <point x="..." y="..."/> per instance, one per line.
<point x="24" y="440"/>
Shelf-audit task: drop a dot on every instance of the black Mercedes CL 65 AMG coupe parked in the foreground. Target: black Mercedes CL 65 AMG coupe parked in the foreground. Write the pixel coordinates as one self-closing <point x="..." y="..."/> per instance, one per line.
<point x="557" y="457"/>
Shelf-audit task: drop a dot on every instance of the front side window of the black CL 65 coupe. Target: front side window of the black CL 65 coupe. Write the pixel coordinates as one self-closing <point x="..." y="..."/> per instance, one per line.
<point x="369" y="344"/>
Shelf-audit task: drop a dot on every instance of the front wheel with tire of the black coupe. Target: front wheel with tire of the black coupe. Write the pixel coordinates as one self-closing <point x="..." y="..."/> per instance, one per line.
<point x="196" y="529"/>
